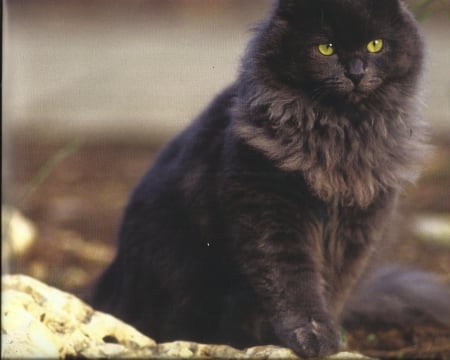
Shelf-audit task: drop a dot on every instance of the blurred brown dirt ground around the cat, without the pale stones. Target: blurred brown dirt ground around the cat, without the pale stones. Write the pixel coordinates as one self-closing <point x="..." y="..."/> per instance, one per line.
<point x="77" y="210"/>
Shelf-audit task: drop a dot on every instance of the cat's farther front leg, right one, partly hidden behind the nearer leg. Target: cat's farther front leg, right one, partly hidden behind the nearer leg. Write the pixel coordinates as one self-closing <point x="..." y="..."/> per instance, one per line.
<point x="354" y="235"/>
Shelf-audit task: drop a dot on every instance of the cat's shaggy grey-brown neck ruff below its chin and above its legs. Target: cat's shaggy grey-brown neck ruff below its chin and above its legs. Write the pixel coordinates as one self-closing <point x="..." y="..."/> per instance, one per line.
<point x="340" y="159"/>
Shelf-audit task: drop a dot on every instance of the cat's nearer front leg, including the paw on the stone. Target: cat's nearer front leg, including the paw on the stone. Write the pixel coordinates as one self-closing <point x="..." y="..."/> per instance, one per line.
<point x="278" y="248"/>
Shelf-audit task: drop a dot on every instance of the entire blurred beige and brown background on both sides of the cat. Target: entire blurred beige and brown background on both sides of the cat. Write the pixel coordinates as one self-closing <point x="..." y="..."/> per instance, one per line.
<point x="93" y="88"/>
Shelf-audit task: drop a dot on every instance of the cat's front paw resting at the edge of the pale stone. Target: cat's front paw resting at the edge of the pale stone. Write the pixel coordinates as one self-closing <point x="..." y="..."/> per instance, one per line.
<point x="314" y="339"/>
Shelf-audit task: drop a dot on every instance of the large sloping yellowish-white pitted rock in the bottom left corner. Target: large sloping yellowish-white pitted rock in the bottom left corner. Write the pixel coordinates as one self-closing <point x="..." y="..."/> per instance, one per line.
<point x="40" y="320"/>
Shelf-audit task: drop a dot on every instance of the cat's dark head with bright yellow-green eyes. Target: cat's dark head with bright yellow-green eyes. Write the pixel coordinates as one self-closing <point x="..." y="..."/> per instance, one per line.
<point x="340" y="49"/>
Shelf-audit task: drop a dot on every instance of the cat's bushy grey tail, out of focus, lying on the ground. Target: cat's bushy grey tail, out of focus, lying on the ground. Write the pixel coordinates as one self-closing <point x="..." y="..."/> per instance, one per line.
<point x="399" y="297"/>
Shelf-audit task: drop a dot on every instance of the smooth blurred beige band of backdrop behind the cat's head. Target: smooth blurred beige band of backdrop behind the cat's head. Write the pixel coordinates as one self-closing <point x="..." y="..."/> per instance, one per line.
<point x="144" y="68"/>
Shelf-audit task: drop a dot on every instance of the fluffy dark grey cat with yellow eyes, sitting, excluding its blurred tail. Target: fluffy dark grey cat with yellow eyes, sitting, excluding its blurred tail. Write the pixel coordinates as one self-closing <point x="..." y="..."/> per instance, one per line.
<point x="255" y="223"/>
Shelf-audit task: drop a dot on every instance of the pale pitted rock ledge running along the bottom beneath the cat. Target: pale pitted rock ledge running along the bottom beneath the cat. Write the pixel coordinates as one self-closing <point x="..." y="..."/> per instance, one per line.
<point x="41" y="321"/>
